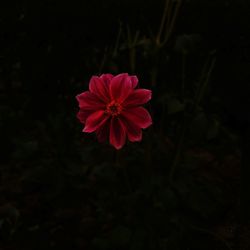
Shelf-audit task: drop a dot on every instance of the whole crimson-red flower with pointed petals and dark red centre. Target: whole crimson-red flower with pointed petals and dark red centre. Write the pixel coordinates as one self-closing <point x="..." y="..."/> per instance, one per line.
<point x="111" y="108"/>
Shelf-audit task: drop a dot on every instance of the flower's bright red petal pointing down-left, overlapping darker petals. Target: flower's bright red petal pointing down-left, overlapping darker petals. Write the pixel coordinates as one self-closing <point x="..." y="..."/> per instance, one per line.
<point x="94" y="121"/>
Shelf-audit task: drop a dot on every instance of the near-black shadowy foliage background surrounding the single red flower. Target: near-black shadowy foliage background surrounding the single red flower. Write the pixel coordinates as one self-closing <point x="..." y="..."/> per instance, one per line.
<point x="60" y="189"/>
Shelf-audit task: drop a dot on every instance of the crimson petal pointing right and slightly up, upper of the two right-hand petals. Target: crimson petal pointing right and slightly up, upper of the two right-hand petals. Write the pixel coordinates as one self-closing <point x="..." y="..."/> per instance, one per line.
<point x="138" y="97"/>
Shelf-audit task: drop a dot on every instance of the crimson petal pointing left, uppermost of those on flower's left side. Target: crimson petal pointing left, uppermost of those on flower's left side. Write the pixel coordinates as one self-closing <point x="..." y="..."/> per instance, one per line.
<point x="89" y="101"/>
